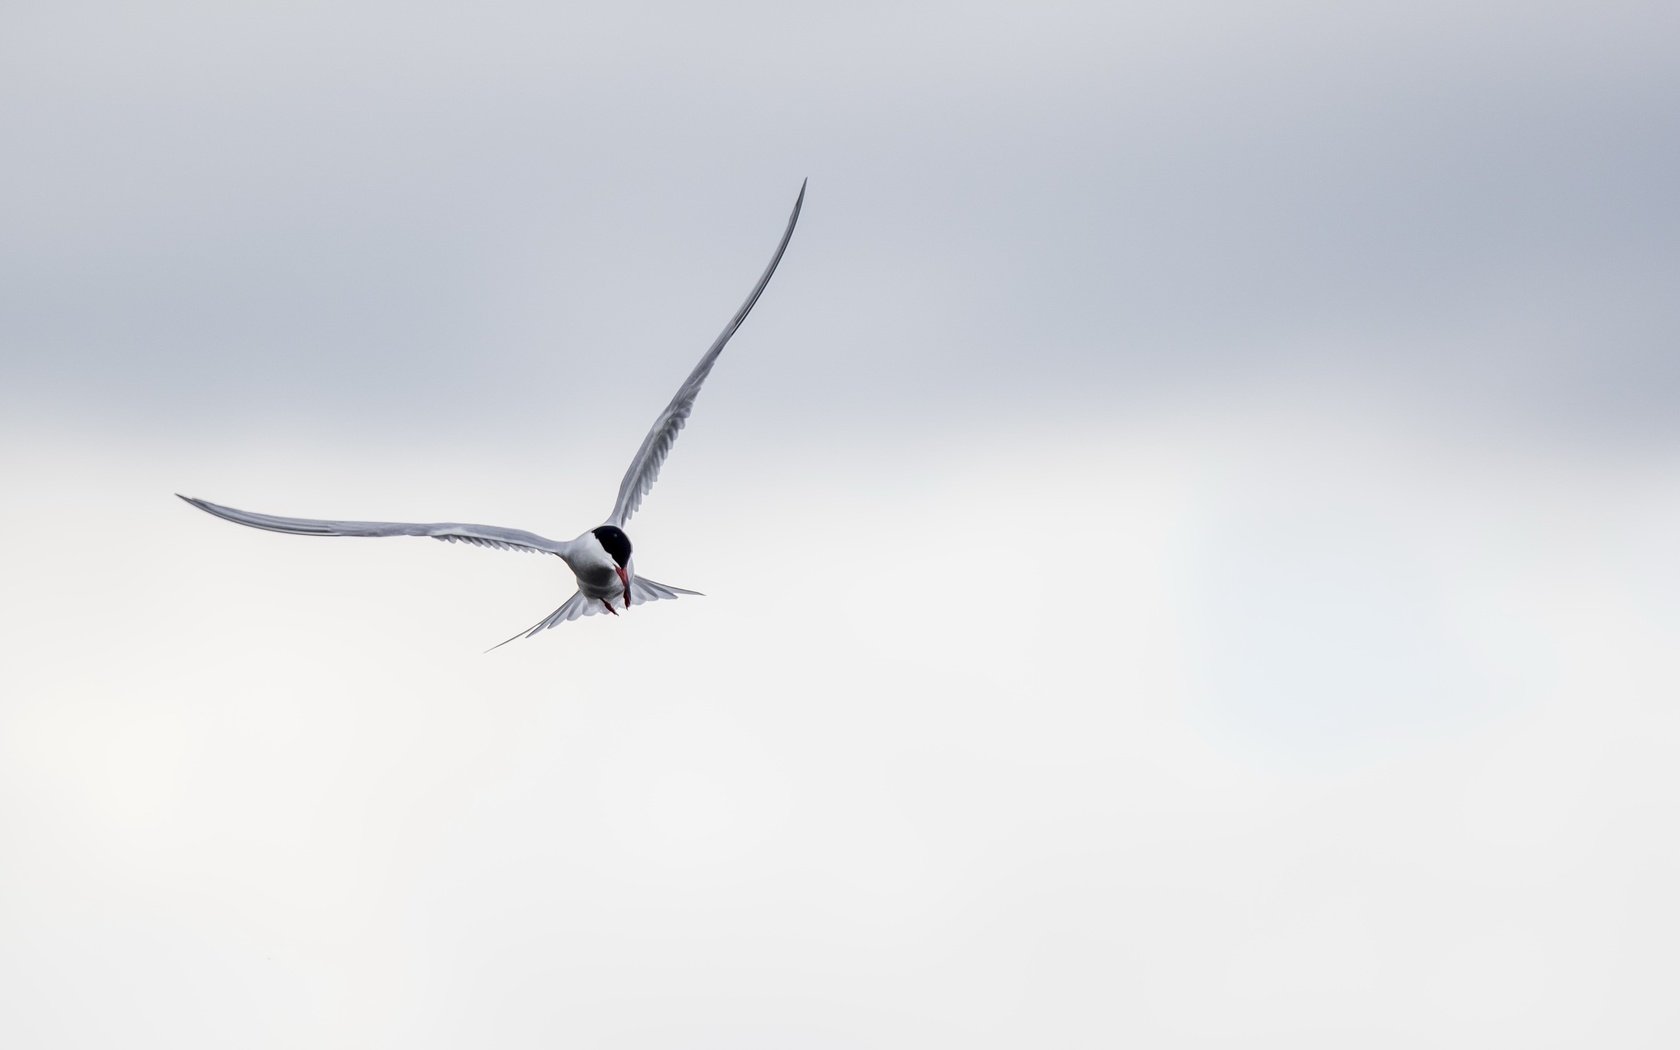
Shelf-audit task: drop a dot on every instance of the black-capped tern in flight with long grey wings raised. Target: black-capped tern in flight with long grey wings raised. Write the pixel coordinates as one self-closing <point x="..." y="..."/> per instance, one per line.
<point x="602" y="557"/>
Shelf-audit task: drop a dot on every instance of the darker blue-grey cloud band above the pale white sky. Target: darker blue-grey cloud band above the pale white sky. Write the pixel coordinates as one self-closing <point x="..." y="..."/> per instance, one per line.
<point x="370" y="209"/>
